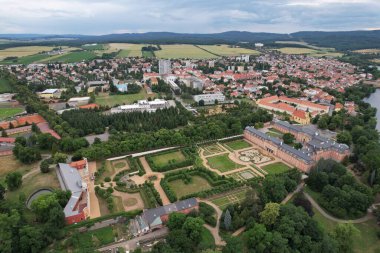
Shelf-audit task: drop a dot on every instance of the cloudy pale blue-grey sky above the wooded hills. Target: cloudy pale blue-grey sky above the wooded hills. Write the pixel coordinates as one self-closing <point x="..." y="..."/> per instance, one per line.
<point x="186" y="16"/>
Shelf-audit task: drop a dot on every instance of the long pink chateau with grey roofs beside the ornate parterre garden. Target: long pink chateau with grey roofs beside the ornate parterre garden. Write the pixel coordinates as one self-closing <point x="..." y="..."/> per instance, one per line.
<point x="315" y="146"/>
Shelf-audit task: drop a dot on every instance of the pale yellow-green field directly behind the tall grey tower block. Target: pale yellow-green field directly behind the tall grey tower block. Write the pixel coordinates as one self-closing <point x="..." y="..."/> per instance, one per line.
<point x="182" y="51"/>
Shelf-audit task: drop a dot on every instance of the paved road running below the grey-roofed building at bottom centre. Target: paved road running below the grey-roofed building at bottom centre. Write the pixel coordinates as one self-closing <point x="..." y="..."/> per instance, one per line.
<point x="132" y="244"/>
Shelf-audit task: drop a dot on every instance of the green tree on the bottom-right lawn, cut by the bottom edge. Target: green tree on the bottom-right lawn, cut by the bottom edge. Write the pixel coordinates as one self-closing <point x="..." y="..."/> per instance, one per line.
<point x="343" y="234"/>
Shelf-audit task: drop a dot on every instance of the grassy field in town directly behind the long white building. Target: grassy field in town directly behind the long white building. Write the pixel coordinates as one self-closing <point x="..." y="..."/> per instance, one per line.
<point x="112" y="100"/>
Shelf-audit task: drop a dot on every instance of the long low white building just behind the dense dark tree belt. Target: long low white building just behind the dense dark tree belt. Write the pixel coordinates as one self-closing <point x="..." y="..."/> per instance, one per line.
<point x="142" y="106"/>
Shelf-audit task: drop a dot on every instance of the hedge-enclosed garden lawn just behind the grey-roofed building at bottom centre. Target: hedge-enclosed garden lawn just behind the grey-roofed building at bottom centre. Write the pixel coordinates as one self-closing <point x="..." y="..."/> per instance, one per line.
<point x="196" y="185"/>
